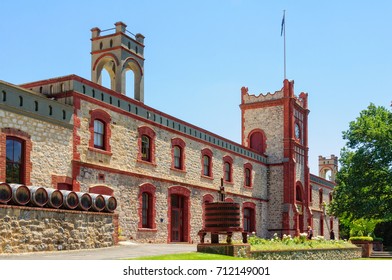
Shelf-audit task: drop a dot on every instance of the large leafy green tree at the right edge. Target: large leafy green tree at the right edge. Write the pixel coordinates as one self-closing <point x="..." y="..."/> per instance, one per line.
<point x="364" y="181"/>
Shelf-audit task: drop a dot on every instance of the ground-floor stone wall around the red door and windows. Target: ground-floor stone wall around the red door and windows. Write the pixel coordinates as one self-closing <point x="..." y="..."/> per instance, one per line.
<point x="126" y="190"/>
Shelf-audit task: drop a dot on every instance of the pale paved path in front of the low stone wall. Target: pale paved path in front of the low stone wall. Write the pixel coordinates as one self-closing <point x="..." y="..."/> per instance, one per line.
<point x="121" y="251"/>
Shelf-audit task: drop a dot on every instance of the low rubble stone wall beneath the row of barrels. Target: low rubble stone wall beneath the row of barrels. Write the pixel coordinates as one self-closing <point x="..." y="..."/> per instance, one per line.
<point x="29" y="229"/>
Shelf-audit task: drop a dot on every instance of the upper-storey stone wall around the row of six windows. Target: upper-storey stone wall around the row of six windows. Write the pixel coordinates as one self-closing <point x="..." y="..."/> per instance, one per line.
<point x="124" y="148"/>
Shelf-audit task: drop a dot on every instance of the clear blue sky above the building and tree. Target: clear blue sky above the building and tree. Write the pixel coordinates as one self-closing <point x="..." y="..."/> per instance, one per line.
<point x="200" y="53"/>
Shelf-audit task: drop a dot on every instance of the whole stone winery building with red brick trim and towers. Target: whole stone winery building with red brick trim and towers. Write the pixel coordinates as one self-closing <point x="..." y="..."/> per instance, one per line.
<point x="72" y="133"/>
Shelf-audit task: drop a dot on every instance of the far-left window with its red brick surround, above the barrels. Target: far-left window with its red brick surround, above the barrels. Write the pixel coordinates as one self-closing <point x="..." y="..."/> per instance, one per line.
<point x="17" y="136"/>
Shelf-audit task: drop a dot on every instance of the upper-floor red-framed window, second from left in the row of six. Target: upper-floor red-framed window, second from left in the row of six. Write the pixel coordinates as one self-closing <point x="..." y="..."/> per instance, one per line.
<point x="146" y="144"/>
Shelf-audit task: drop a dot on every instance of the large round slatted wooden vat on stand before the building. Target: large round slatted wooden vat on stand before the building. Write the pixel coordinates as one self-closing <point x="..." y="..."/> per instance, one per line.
<point x="222" y="217"/>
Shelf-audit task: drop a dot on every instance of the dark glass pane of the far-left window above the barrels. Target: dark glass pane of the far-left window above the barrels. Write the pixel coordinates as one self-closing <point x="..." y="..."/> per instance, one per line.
<point x="14" y="160"/>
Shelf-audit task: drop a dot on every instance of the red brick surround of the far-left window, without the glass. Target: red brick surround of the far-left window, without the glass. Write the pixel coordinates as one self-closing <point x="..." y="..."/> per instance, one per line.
<point x="27" y="146"/>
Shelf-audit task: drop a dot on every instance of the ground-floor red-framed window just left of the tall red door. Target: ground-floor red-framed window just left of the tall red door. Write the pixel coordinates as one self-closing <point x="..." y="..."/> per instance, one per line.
<point x="146" y="208"/>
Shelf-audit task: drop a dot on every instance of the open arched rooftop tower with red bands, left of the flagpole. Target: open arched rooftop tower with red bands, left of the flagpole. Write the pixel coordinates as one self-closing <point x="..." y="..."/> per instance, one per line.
<point x="117" y="53"/>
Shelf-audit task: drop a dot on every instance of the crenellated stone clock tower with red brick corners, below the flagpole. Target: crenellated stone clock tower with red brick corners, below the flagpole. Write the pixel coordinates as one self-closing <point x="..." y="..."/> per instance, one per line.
<point x="276" y="124"/>
